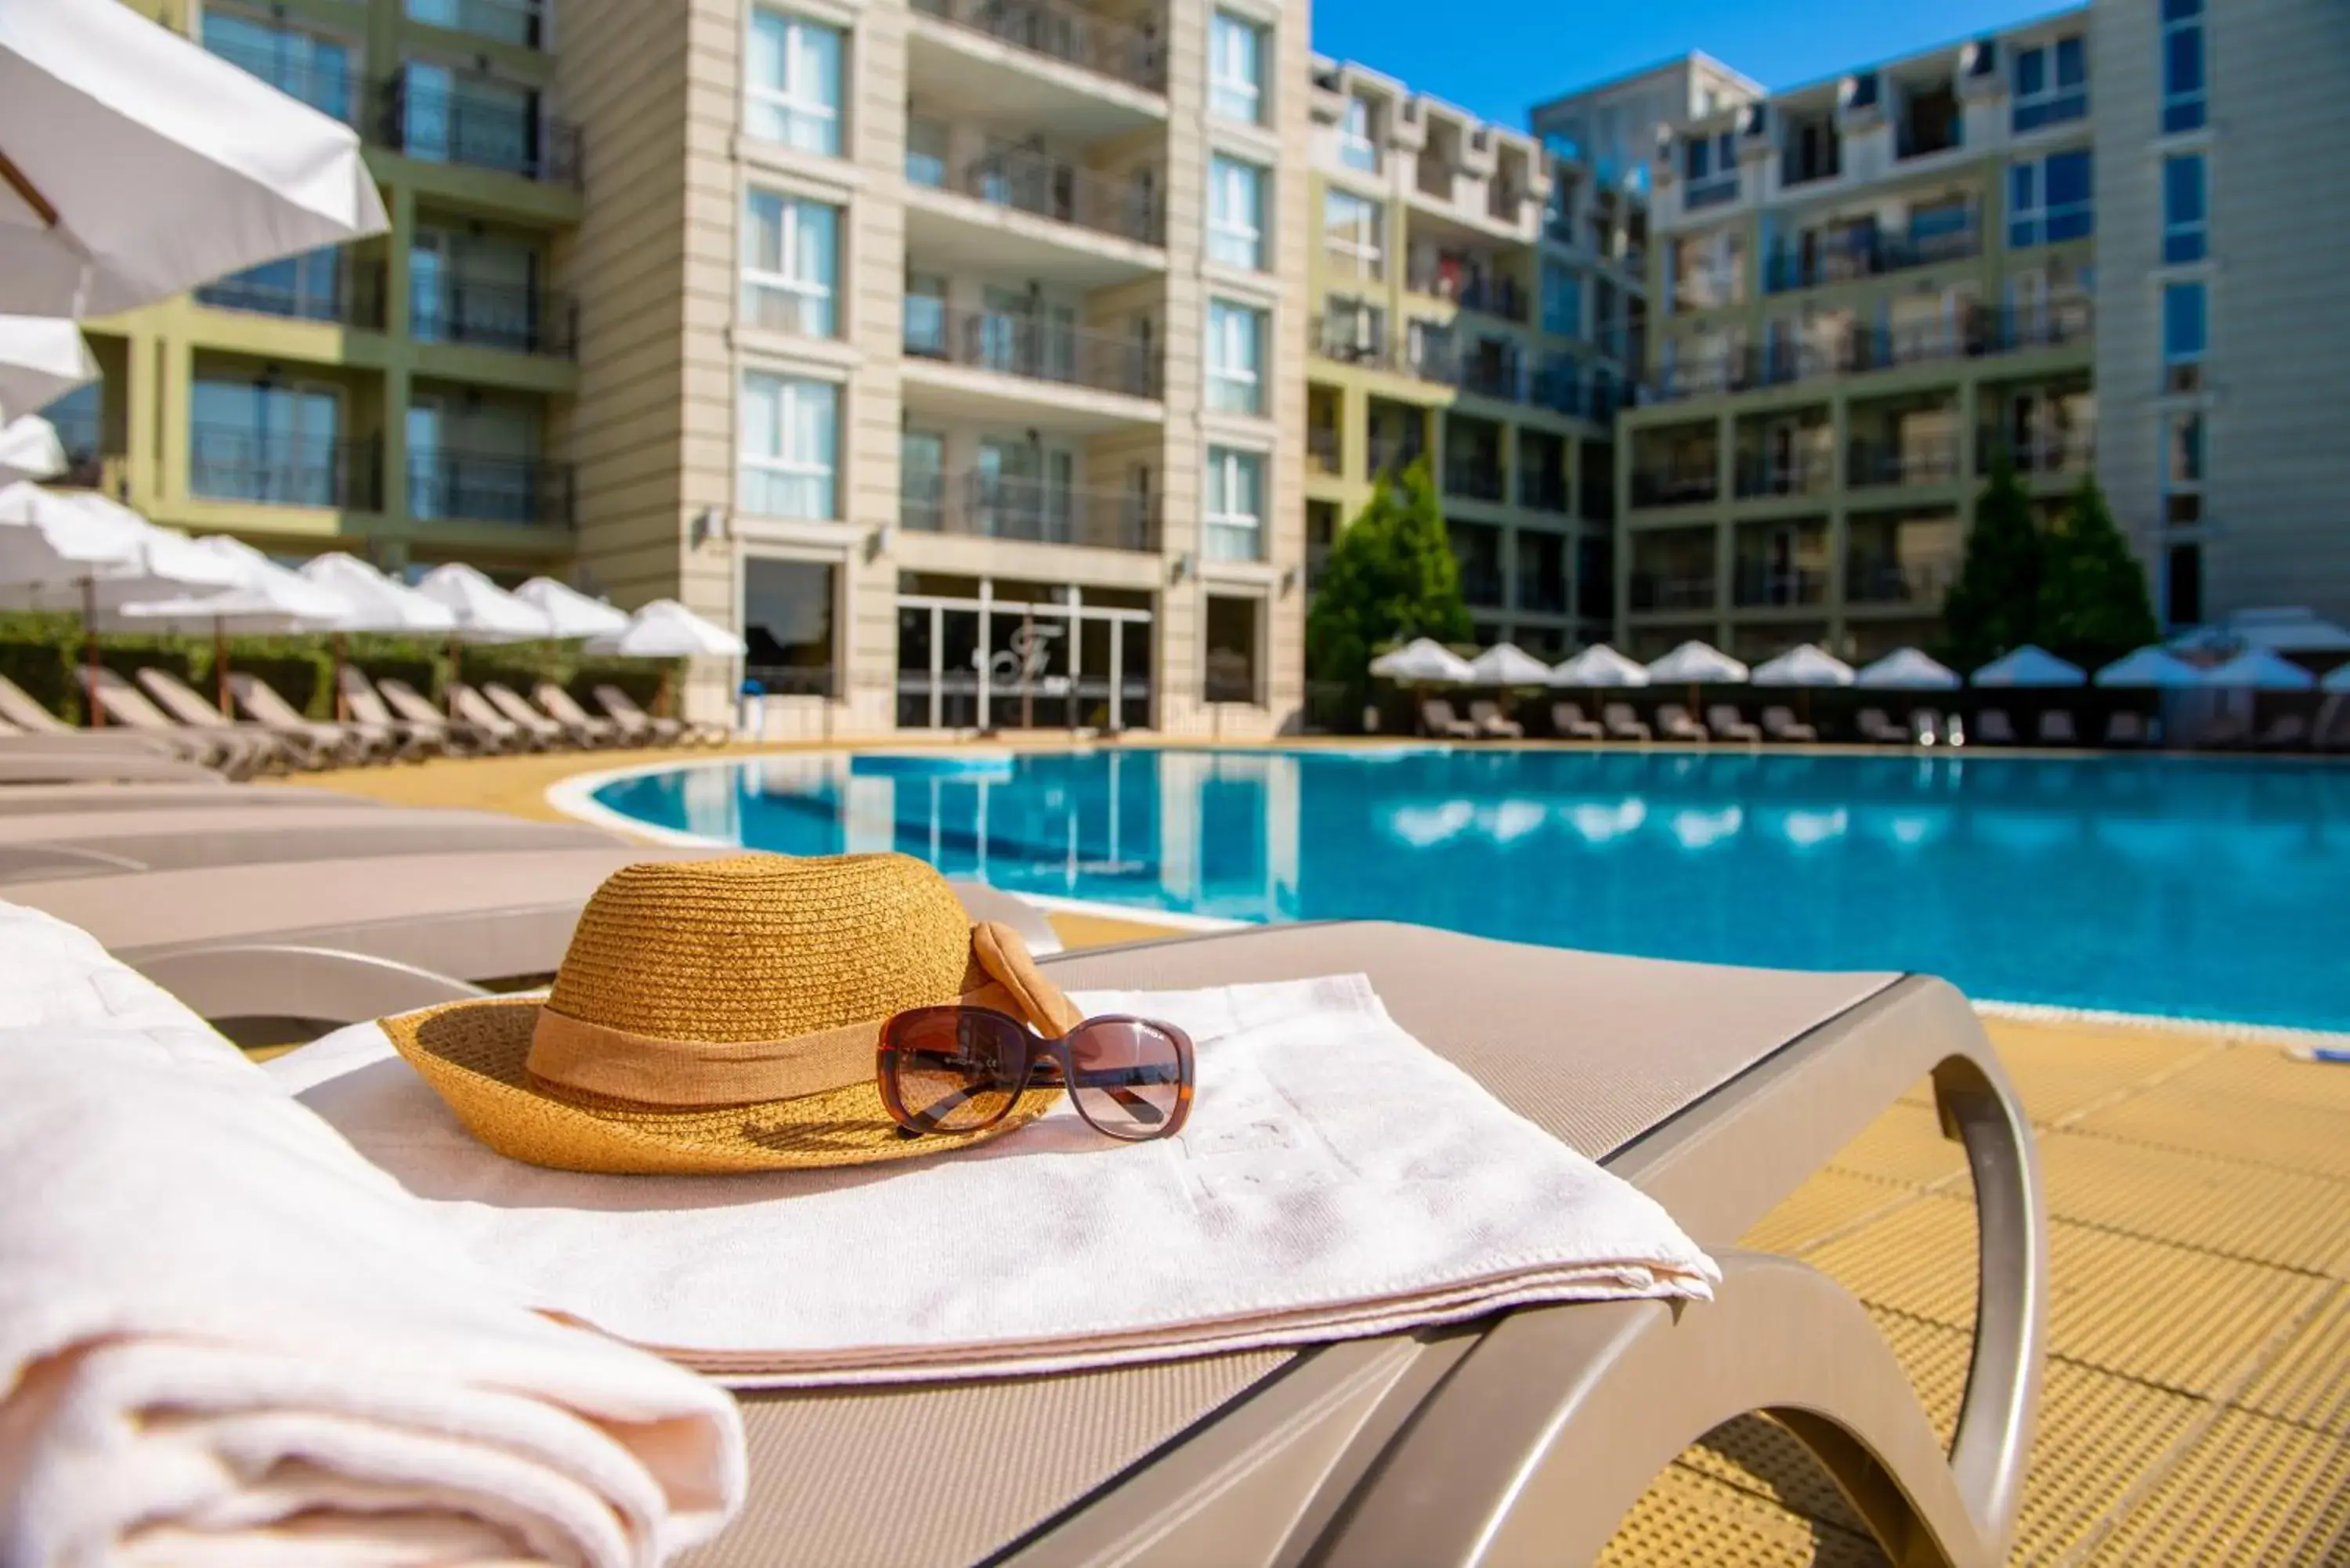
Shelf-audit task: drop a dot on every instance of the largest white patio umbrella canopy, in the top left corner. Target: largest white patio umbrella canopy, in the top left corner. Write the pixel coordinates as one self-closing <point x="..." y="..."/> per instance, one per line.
<point x="142" y="166"/>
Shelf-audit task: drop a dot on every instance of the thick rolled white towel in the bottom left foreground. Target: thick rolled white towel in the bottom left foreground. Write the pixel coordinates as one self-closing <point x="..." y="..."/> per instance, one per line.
<point x="227" y="1339"/>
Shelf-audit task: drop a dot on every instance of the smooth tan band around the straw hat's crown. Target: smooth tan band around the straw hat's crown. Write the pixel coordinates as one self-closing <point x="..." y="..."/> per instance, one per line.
<point x="652" y="1071"/>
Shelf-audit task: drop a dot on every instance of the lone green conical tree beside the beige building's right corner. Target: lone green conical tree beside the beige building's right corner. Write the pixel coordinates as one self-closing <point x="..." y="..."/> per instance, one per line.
<point x="1390" y="577"/>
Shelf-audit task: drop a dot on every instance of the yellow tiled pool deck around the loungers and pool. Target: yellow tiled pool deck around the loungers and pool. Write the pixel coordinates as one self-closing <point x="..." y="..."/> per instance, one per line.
<point x="2198" y="1184"/>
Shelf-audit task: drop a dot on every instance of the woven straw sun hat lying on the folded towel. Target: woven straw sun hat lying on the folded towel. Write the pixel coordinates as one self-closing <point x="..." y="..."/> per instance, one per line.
<point x="725" y="1017"/>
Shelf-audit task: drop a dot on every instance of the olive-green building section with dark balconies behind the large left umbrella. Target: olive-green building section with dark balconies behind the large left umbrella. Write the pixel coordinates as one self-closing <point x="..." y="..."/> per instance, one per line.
<point x="396" y="398"/>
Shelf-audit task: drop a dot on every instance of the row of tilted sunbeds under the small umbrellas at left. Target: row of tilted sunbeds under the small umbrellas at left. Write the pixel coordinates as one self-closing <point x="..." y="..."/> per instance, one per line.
<point x="159" y="725"/>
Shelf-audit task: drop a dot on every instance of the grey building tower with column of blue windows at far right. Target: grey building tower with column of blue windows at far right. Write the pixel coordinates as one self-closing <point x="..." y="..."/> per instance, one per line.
<point x="2222" y="314"/>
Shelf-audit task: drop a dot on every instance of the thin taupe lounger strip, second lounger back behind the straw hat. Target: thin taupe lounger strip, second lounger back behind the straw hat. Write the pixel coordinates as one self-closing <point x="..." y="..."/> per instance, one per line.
<point x="116" y="843"/>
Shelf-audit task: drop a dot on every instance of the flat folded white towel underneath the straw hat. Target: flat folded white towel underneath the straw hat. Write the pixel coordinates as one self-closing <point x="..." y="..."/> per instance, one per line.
<point x="1336" y="1179"/>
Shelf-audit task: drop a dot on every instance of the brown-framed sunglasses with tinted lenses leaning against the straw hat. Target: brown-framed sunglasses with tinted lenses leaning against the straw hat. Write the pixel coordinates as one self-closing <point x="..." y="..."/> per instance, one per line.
<point x="962" y="1068"/>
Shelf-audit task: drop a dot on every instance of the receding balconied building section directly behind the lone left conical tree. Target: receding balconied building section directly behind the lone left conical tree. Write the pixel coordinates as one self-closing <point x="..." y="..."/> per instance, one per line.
<point x="1475" y="302"/>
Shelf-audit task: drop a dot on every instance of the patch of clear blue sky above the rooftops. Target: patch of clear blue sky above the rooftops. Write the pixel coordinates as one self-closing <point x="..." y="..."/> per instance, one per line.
<point x="1500" y="58"/>
